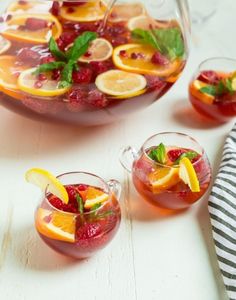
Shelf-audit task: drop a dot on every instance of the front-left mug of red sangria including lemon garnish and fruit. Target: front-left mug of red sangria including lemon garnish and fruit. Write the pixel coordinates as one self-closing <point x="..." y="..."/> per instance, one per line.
<point x="83" y="224"/>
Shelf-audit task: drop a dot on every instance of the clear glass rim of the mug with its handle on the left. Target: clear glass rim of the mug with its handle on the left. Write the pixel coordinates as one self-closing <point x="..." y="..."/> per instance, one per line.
<point x="143" y="148"/>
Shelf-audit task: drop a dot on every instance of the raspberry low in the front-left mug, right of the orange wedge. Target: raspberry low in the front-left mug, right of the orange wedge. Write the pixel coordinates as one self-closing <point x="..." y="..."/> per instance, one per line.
<point x="88" y="231"/>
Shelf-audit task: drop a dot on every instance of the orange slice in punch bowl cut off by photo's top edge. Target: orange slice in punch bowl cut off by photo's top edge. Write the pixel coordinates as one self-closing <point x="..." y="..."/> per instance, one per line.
<point x="88" y="12"/>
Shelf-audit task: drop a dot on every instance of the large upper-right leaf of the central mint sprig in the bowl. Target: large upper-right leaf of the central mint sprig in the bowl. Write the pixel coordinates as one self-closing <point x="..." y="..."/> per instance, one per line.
<point x="80" y="46"/>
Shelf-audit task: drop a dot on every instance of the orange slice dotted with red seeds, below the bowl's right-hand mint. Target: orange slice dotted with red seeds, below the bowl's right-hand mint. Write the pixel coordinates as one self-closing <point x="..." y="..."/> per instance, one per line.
<point x="142" y="65"/>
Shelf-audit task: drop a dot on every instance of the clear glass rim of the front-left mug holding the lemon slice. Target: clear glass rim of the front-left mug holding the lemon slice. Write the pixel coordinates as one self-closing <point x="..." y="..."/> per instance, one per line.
<point x="77" y="213"/>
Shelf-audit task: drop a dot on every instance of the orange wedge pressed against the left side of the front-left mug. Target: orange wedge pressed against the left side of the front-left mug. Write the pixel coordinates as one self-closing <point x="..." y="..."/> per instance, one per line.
<point x="56" y="225"/>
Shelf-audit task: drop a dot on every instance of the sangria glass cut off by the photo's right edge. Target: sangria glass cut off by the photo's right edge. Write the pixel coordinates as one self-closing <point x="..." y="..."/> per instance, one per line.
<point x="212" y="91"/>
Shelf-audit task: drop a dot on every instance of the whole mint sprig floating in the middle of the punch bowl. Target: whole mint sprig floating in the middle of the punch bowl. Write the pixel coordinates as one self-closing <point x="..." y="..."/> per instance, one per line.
<point x="67" y="61"/>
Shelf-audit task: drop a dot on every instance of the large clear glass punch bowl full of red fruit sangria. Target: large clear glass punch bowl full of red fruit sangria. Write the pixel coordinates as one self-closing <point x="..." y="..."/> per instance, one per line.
<point x="84" y="62"/>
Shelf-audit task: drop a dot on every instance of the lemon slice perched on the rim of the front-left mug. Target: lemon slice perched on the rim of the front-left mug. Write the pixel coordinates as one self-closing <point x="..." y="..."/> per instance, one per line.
<point x="45" y="179"/>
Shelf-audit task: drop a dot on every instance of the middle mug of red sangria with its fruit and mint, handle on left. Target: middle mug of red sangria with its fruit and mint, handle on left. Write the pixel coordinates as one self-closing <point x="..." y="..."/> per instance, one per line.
<point x="171" y="171"/>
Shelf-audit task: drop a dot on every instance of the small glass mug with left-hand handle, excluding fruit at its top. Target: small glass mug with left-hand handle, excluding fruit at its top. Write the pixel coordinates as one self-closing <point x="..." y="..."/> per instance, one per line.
<point x="175" y="196"/>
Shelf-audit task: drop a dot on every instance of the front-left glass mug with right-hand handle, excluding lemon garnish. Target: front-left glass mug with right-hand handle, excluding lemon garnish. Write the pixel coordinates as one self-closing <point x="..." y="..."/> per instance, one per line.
<point x="80" y="235"/>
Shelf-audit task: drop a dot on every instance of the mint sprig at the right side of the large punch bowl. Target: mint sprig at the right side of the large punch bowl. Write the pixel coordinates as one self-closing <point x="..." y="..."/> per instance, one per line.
<point x="168" y="41"/>
